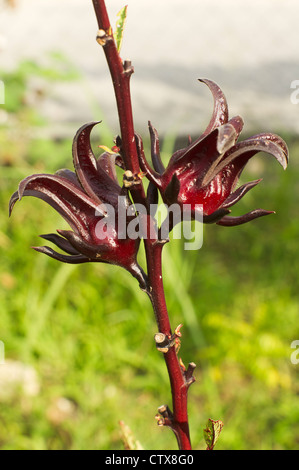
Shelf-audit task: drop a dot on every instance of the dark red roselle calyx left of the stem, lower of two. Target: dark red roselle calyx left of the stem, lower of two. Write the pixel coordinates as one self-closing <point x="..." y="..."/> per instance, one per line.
<point x="82" y="199"/>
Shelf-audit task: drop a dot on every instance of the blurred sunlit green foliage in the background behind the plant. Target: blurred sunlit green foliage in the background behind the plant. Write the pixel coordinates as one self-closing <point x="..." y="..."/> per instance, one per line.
<point x="86" y="332"/>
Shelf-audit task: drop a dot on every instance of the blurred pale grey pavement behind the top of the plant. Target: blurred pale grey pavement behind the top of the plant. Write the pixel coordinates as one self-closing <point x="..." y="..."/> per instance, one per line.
<point x="249" y="48"/>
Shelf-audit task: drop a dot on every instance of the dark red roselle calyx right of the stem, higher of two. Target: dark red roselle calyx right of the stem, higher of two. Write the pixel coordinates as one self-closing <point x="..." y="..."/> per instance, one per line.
<point x="207" y="171"/>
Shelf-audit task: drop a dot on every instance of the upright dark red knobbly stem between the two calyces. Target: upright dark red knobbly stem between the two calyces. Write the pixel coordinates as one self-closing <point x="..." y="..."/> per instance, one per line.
<point x="121" y="73"/>
